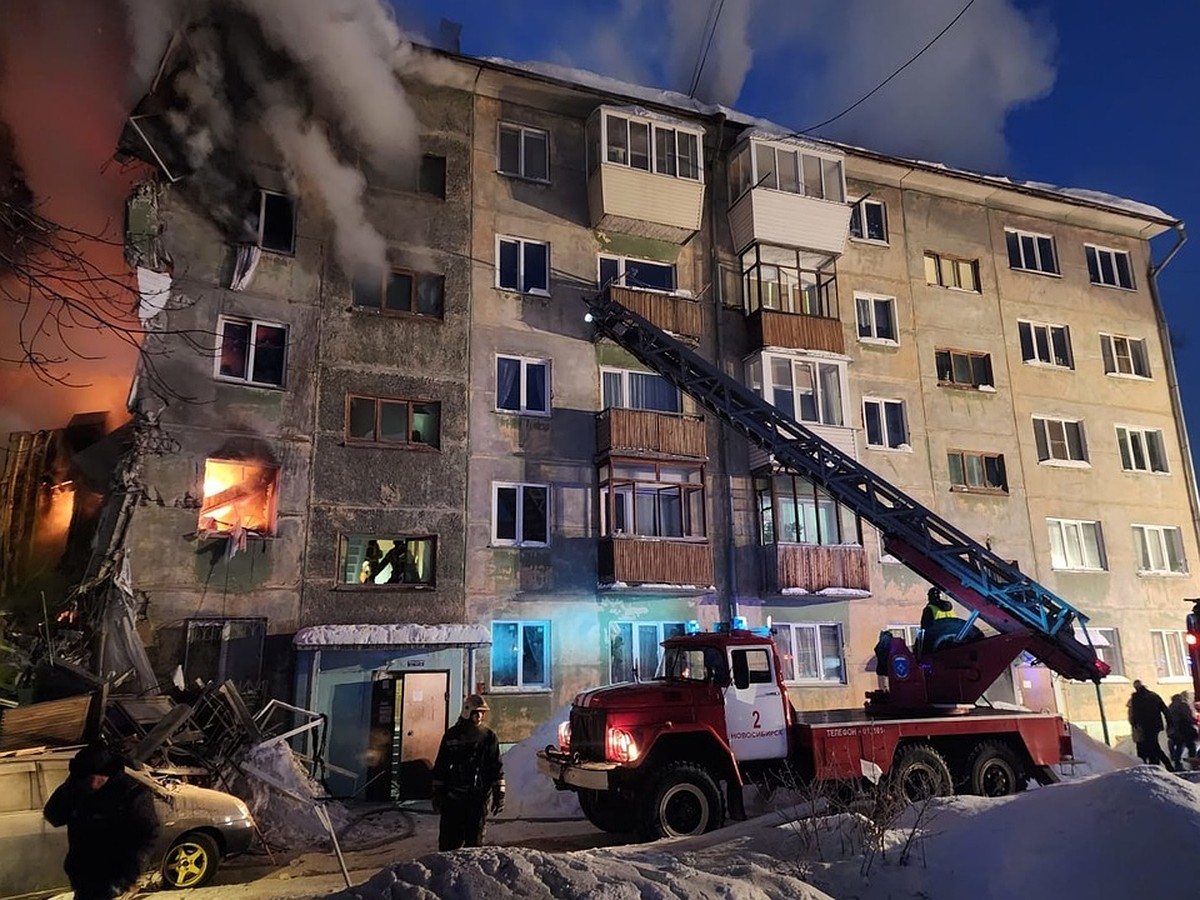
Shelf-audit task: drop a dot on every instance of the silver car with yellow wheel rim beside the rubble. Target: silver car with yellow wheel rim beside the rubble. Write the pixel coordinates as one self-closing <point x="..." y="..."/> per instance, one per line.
<point x="200" y="827"/>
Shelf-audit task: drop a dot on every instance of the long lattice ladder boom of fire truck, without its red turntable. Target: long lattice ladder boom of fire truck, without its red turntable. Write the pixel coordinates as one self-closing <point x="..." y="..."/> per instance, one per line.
<point x="929" y="545"/>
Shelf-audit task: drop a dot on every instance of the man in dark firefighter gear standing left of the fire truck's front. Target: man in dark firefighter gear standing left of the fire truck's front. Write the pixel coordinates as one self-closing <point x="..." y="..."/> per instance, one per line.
<point x="466" y="773"/>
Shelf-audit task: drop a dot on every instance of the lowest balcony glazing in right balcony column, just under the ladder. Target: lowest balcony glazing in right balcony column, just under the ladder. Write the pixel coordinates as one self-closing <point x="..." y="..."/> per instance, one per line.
<point x="795" y="511"/>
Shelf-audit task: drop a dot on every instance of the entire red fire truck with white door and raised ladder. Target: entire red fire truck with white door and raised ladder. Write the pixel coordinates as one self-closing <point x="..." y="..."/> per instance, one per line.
<point x="670" y="757"/>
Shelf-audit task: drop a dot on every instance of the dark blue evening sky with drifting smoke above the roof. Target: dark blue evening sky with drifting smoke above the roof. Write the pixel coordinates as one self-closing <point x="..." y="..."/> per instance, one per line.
<point x="1099" y="94"/>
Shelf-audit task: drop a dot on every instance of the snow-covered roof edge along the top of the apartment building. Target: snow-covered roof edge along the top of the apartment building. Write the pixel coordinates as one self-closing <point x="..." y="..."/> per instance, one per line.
<point x="773" y="131"/>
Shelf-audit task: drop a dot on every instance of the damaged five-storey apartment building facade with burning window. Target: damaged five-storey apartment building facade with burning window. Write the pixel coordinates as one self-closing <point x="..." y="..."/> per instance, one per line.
<point x="389" y="491"/>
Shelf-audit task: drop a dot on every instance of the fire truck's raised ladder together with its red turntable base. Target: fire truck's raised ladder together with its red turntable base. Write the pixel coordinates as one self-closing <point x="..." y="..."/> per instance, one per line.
<point x="1027" y="616"/>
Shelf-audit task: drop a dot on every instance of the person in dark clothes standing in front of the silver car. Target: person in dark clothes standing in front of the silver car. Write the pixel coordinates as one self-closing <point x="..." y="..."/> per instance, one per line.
<point x="111" y="823"/>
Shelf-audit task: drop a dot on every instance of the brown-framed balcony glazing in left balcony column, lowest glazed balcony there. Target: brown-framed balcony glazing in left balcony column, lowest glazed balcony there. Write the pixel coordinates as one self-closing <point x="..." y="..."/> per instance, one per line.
<point x="652" y="500"/>
